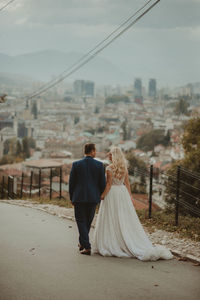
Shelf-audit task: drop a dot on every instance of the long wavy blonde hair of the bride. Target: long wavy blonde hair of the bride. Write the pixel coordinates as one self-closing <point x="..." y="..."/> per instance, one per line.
<point x="119" y="163"/>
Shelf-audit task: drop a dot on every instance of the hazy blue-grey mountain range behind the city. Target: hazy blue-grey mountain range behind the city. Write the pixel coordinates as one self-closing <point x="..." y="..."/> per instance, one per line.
<point x="45" y="65"/>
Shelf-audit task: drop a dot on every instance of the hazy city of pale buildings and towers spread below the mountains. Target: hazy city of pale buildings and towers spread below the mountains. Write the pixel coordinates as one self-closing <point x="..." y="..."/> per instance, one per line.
<point x="58" y="123"/>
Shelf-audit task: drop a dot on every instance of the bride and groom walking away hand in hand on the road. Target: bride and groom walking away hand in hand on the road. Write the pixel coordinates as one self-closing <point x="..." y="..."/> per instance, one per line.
<point x="118" y="230"/>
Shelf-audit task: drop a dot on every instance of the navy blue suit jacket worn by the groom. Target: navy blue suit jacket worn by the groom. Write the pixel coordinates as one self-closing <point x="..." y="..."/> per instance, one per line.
<point x="87" y="181"/>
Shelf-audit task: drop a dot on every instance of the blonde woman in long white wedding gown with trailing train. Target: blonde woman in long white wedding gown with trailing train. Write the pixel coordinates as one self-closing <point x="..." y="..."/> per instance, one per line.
<point x="118" y="229"/>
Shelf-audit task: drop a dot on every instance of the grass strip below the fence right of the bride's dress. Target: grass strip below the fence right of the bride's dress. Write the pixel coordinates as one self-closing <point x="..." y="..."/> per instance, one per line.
<point x="189" y="227"/>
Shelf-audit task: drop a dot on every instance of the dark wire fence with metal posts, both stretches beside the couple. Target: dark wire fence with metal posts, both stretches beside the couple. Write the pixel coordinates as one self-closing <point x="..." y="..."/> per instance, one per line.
<point x="179" y="189"/>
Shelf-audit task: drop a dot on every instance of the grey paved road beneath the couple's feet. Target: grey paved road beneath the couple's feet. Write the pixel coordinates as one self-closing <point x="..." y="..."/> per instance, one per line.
<point x="39" y="261"/>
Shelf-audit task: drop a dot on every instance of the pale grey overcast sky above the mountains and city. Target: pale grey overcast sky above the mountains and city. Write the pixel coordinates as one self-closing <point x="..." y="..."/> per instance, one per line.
<point x="165" y="44"/>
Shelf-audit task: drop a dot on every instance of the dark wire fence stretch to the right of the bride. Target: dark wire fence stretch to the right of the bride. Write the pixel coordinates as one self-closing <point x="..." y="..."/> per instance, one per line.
<point x="179" y="190"/>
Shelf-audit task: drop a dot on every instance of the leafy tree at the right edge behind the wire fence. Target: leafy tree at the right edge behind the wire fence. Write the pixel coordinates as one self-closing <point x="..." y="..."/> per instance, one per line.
<point x="189" y="184"/>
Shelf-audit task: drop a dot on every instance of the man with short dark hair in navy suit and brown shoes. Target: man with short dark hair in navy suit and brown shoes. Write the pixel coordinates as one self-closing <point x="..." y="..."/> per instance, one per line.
<point x="86" y="184"/>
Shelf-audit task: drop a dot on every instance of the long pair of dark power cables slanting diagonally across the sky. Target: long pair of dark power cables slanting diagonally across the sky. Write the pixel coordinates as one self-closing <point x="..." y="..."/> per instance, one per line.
<point x="87" y="57"/>
